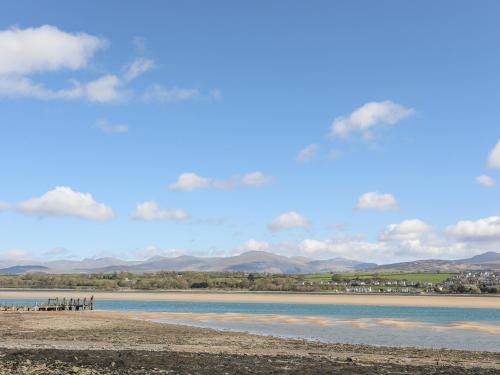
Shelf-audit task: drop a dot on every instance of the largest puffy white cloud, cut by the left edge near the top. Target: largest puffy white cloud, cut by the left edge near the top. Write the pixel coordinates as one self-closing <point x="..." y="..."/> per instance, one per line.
<point x="45" y="48"/>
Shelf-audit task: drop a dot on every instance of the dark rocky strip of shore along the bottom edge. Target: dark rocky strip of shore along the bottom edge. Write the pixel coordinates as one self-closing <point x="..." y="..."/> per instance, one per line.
<point x="59" y="361"/>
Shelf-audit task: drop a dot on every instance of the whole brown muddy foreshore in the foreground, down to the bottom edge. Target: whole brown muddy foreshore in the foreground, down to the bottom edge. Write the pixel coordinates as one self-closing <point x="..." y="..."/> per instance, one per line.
<point x="96" y="342"/>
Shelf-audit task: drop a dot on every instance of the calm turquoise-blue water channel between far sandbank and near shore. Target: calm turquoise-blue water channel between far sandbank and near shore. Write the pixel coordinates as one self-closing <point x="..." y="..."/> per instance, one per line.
<point x="435" y="327"/>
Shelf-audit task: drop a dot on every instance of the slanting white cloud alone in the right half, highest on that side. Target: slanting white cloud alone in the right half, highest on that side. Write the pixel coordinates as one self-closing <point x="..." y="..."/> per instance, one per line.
<point x="370" y="116"/>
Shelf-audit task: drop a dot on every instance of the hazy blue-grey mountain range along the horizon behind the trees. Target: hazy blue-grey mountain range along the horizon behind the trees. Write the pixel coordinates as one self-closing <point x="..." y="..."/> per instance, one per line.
<point x="253" y="261"/>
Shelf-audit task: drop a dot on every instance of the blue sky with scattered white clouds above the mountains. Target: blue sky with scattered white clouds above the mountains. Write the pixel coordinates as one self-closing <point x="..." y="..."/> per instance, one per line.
<point x="358" y="129"/>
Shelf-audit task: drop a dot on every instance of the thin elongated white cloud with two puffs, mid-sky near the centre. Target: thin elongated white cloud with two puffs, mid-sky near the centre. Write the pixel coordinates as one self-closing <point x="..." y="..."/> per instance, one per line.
<point x="189" y="182"/>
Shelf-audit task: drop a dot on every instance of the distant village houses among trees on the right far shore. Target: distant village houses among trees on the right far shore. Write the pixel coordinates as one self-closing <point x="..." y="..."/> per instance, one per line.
<point x="463" y="283"/>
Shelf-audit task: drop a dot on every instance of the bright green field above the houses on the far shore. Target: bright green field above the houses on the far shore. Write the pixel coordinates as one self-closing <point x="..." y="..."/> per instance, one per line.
<point x="423" y="277"/>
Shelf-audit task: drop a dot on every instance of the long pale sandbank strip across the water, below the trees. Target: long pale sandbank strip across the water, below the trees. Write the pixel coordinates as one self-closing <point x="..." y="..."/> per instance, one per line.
<point x="292" y="298"/>
